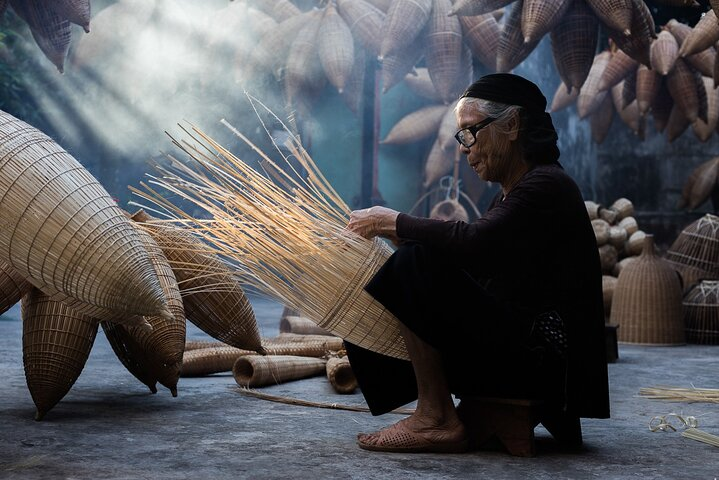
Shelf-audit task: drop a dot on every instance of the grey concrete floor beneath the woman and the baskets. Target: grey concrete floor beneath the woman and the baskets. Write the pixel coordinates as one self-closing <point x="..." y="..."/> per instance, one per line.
<point x="110" y="427"/>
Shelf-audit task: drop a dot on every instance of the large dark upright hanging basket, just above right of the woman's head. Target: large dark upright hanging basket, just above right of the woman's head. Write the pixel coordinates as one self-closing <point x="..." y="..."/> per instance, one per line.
<point x="574" y="43"/>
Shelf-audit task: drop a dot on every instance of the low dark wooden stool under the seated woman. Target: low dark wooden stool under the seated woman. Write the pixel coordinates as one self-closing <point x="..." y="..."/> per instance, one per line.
<point x="512" y="422"/>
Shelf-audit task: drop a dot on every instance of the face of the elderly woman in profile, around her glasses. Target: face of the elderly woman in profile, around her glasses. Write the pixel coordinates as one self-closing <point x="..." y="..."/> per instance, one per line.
<point x="489" y="159"/>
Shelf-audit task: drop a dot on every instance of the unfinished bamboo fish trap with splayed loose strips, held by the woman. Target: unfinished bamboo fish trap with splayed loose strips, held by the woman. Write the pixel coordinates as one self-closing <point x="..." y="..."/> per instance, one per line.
<point x="286" y="236"/>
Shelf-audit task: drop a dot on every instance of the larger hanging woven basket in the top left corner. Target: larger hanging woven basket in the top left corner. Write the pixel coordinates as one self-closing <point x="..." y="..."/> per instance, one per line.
<point x="51" y="32"/>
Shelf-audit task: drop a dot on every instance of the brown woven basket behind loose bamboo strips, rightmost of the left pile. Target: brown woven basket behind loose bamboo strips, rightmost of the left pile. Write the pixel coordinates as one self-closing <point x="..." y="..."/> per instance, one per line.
<point x="212" y="297"/>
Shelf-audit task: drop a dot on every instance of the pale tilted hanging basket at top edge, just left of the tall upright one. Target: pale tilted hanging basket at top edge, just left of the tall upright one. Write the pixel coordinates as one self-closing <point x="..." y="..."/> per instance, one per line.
<point x="404" y="21"/>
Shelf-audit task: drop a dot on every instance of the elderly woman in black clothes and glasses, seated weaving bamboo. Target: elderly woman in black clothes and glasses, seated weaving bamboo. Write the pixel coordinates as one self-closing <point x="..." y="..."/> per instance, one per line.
<point x="507" y="306"/>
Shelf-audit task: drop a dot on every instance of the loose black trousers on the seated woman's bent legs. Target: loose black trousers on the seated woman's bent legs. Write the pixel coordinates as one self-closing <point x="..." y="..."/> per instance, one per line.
<point x="483" y="342"/>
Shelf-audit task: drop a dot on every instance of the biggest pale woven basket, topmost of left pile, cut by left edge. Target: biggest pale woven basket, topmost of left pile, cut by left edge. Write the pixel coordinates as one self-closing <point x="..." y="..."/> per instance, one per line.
<point x="63" y="229"/>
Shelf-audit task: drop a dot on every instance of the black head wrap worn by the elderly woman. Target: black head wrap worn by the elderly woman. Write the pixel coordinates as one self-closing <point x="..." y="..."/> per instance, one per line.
<point x="540" y="137"/>
